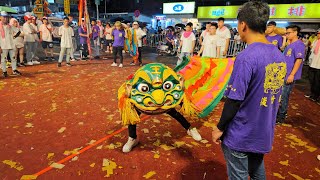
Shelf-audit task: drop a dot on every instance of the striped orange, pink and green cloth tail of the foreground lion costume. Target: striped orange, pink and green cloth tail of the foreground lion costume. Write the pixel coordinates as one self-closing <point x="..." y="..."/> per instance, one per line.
<point x="205" y="81"/>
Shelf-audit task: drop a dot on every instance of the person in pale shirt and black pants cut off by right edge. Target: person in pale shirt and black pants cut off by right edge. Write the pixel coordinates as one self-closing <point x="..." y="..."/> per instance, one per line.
<point x="314" y="70"/>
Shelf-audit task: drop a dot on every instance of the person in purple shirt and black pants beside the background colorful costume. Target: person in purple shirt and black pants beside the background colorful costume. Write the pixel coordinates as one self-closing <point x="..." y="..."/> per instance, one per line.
<point x="118" y="35"/>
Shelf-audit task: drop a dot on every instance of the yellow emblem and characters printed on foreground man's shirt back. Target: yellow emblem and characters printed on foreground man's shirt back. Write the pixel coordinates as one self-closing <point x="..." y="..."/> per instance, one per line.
<point x="274" y="78"/>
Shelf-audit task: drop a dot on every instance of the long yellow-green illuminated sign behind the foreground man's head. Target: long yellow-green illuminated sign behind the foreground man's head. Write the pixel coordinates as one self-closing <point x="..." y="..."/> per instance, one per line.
<point x="277" y="11"/>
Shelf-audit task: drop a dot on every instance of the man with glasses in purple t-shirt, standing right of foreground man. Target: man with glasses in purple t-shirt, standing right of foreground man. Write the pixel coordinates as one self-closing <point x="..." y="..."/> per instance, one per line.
<point x="294" y="53"/>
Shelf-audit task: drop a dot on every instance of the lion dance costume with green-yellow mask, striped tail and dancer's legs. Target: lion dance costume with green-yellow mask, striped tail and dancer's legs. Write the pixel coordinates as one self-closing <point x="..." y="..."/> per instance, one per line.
<point x="192" y="89"/>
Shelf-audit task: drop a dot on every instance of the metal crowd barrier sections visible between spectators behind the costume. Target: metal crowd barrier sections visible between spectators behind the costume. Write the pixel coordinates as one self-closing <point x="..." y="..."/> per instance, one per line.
<point x="235" y="47"/>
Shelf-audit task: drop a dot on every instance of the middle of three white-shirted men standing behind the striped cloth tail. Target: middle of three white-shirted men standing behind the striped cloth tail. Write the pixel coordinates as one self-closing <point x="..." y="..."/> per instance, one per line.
<point x="211" y="43"/>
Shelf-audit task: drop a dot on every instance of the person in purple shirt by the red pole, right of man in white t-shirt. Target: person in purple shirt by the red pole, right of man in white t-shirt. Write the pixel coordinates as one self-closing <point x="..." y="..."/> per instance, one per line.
<point x="83" y="41"/>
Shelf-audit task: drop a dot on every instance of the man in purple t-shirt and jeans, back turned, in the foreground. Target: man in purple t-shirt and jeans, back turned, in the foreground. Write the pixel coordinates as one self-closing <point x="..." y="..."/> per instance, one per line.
<point x="246" y="126"/>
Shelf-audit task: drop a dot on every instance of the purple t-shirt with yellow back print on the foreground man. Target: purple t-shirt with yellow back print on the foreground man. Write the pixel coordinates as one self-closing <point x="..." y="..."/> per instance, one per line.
<point x="256" y="80"/>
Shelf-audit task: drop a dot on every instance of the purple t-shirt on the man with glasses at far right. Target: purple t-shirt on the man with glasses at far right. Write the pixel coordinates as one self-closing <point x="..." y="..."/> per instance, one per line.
<point x="293" y="52"/>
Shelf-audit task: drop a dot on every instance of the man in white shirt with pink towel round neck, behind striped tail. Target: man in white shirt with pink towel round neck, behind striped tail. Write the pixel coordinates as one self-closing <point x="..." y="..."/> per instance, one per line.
<point x="187" y="43"/>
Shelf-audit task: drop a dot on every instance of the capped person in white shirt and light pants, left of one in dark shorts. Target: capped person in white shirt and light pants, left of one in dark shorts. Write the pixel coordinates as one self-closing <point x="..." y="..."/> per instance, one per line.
<point x="29" y="39"/>
